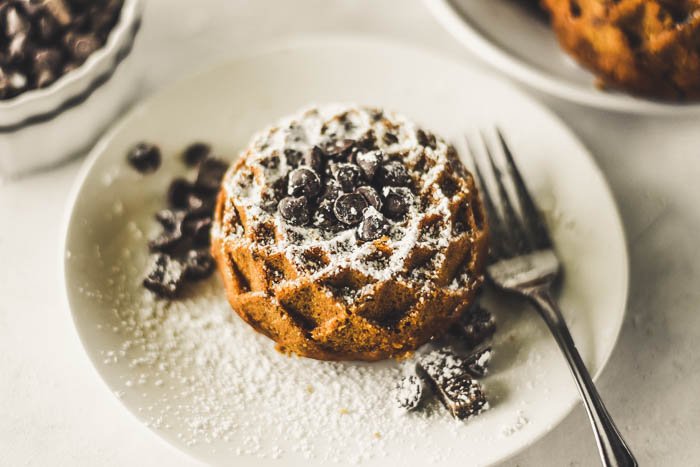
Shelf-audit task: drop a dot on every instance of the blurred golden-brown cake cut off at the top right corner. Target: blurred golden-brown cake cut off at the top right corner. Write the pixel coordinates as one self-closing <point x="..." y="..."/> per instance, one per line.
<point x="646" y="47"/>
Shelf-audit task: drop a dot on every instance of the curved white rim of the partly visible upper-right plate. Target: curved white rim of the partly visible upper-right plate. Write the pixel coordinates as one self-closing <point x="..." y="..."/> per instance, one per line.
<point x="458" y="25"/>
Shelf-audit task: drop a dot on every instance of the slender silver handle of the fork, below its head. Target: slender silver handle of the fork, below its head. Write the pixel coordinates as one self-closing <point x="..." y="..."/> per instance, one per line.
<point x="613" y="449"/>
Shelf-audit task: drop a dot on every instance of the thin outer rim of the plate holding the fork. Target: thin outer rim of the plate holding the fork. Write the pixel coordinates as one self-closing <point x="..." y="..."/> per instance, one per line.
<point x="324" y="40"/>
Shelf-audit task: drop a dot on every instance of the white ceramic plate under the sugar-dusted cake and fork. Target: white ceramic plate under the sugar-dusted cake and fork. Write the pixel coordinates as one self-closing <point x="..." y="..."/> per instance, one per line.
<point x="208" y="384"/>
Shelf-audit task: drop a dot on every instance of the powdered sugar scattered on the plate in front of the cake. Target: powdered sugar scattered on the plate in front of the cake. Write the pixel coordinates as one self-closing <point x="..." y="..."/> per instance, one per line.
<point x="220" y="383"/>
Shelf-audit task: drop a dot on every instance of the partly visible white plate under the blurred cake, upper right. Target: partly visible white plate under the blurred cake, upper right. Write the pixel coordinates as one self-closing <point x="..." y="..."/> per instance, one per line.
<point x="512" y="38"/>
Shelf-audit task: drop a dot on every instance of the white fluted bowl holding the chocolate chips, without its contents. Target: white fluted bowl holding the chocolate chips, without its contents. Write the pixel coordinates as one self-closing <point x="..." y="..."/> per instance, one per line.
<point x="42" y="127"/>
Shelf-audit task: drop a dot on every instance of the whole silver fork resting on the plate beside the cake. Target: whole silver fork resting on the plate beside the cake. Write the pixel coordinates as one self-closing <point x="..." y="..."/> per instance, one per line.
<point x="522" y="260"/>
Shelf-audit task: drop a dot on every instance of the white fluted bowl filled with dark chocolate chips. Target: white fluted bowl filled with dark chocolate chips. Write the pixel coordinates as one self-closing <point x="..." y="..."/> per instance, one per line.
<point x="64" y="76"/>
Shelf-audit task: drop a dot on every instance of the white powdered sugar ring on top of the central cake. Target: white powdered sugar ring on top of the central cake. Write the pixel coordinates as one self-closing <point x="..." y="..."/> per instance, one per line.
<point x="247" y="184"/>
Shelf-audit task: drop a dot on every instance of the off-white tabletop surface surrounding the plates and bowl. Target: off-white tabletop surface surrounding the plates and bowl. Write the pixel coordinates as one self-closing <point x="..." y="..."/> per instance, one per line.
<point x="55" y="411"/>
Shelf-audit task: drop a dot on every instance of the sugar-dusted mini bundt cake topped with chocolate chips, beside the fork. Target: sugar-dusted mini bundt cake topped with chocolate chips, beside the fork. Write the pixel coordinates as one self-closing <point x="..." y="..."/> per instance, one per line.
<point x="349" y="234"/>
